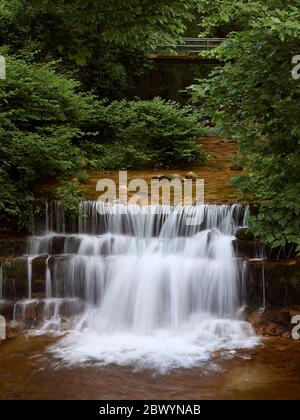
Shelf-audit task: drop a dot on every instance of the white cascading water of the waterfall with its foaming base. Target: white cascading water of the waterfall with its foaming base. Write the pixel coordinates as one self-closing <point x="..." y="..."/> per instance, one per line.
<point x="160" y="286"/>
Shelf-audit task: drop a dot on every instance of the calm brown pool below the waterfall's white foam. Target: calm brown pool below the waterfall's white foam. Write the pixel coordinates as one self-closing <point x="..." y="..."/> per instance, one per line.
<point x="270" y="371"/>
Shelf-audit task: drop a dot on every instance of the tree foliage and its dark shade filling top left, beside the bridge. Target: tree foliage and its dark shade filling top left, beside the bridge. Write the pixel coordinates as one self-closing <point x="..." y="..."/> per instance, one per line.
<point x="103" y="42"/>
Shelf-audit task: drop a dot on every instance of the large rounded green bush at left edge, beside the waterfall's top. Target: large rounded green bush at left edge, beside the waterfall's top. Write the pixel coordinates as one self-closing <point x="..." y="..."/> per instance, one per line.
<point x="41" y="115"/>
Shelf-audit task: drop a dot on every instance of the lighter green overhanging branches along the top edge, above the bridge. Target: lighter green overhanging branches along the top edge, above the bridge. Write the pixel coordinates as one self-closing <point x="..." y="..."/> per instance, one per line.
<point x="73" y="25"/>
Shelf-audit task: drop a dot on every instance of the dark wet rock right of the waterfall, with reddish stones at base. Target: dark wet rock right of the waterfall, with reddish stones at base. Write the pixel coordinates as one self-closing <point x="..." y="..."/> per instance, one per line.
<point x="272" y="296"/>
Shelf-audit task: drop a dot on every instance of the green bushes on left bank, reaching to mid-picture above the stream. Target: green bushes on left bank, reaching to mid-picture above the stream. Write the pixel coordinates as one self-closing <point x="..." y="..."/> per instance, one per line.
<point x="49" y="128"/>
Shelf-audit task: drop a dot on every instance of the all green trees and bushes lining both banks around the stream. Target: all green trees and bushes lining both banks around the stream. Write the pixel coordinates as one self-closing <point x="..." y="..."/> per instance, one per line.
<point x="68" y="101"/>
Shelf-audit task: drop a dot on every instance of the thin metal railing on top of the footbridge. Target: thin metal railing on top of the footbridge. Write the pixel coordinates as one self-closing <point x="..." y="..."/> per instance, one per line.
<point x="192" y="46"/>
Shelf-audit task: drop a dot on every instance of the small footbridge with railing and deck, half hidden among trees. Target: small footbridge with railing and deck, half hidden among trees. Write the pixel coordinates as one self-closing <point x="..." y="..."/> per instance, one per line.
<point x="189" y="49"/>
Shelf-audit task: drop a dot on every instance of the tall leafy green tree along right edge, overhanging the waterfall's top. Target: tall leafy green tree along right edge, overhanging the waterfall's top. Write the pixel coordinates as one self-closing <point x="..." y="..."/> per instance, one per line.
<point x="254" y="99"/>
